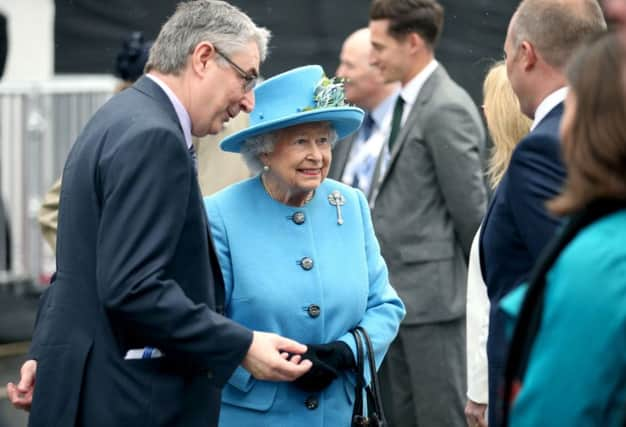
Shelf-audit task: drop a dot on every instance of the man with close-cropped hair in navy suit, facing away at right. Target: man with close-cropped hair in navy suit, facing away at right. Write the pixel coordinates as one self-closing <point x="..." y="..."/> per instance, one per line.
<point x="541" y="37"/>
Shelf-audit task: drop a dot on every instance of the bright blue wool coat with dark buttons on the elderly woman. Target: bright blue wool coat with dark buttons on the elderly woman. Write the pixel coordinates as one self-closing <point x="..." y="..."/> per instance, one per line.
<point x="262" y="252"/>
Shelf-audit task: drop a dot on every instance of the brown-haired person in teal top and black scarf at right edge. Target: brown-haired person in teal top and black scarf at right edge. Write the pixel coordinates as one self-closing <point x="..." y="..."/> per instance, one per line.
<point x="567" y="360"/>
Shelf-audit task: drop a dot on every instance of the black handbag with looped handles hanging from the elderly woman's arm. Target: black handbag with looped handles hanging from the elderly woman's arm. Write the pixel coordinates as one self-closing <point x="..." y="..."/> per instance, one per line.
<point x="373" y="416"/>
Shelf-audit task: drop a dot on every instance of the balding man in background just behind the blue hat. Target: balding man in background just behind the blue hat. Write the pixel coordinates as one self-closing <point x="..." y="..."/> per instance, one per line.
<point x="354" y="160"/>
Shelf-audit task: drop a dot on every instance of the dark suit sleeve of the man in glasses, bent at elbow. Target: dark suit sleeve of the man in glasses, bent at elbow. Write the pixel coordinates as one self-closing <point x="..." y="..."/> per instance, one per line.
<point x="146" y="187"/>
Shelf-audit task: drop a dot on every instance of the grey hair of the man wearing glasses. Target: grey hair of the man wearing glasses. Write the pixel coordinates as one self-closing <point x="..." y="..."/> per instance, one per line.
<point x="218" y="22"/>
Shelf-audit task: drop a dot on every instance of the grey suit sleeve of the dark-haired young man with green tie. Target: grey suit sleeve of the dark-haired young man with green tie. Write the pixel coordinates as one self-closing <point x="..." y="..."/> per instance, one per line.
<point x="454" y="138"/>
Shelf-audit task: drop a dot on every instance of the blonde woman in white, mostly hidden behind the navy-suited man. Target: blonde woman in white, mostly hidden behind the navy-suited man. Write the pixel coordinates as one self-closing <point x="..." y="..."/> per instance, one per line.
<point x="507" y="125"/>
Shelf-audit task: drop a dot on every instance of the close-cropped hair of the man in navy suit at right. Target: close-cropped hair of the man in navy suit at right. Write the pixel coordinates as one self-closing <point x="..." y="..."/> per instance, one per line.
<point x="556" y="28"/>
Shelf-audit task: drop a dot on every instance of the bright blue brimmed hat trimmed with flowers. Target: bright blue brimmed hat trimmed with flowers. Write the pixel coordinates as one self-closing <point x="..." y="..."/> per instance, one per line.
<point x="301" y="95"/>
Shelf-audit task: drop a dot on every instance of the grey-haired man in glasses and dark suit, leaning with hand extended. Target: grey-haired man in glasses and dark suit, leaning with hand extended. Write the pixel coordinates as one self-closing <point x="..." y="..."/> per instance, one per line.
<point x="130" y="331"/>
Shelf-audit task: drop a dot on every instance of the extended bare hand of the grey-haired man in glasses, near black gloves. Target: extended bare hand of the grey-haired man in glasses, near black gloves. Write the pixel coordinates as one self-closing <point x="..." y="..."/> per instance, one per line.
<point x="268" y="358"/>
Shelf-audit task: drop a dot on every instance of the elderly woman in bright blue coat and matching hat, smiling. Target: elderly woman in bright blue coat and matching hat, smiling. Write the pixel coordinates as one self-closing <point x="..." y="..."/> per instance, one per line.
<point x="299" y="255"/>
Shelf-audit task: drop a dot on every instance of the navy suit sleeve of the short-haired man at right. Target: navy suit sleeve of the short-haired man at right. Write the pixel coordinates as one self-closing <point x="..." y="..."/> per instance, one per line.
<point x="535" y="176"/>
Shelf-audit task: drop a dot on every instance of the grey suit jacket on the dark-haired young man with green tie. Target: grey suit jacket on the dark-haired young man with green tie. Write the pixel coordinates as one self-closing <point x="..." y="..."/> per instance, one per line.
<point x="429" y="202"/>
